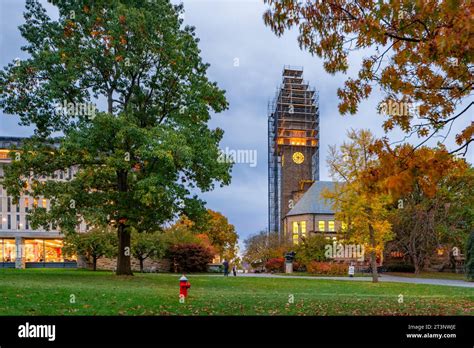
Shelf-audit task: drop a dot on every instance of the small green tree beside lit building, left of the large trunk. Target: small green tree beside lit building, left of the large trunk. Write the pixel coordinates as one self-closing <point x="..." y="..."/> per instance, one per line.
<point x="92" y="245"/>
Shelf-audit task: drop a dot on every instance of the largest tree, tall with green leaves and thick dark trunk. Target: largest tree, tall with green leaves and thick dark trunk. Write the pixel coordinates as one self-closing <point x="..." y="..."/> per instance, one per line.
<point x="138" y="158"/>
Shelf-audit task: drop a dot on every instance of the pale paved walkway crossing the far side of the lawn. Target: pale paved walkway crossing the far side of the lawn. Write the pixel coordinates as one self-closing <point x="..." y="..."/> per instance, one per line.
<point x="382" y="278"/>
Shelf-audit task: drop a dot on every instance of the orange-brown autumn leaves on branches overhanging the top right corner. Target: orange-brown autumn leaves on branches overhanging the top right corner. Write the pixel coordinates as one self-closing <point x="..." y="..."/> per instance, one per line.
<point x="418" y="53"/>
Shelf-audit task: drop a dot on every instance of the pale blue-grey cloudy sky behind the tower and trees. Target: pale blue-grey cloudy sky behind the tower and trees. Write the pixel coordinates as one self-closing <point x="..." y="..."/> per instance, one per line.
<point x="246" y="60"/>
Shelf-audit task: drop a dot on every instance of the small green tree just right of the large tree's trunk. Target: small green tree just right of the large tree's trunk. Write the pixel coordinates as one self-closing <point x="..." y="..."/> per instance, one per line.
<point x="147" y="245"/>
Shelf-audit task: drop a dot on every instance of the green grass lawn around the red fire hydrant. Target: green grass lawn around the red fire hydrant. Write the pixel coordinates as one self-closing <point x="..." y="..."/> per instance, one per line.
<point x="48" y="292"/>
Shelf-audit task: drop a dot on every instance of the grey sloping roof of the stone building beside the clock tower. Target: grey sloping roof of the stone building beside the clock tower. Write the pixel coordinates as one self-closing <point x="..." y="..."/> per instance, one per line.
<point x="311" y="202"/>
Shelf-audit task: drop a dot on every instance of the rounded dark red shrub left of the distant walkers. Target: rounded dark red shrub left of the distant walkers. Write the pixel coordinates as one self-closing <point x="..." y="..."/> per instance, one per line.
<point x="190" y="257"/>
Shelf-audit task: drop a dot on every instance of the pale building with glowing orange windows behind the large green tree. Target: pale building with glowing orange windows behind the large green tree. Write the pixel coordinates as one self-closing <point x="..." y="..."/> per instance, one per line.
<point x="21" y="246"/>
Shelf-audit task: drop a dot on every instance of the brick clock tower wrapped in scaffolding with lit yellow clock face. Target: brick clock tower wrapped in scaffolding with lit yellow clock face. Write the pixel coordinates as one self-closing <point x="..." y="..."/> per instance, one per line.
<point x="293" y="144"/>
